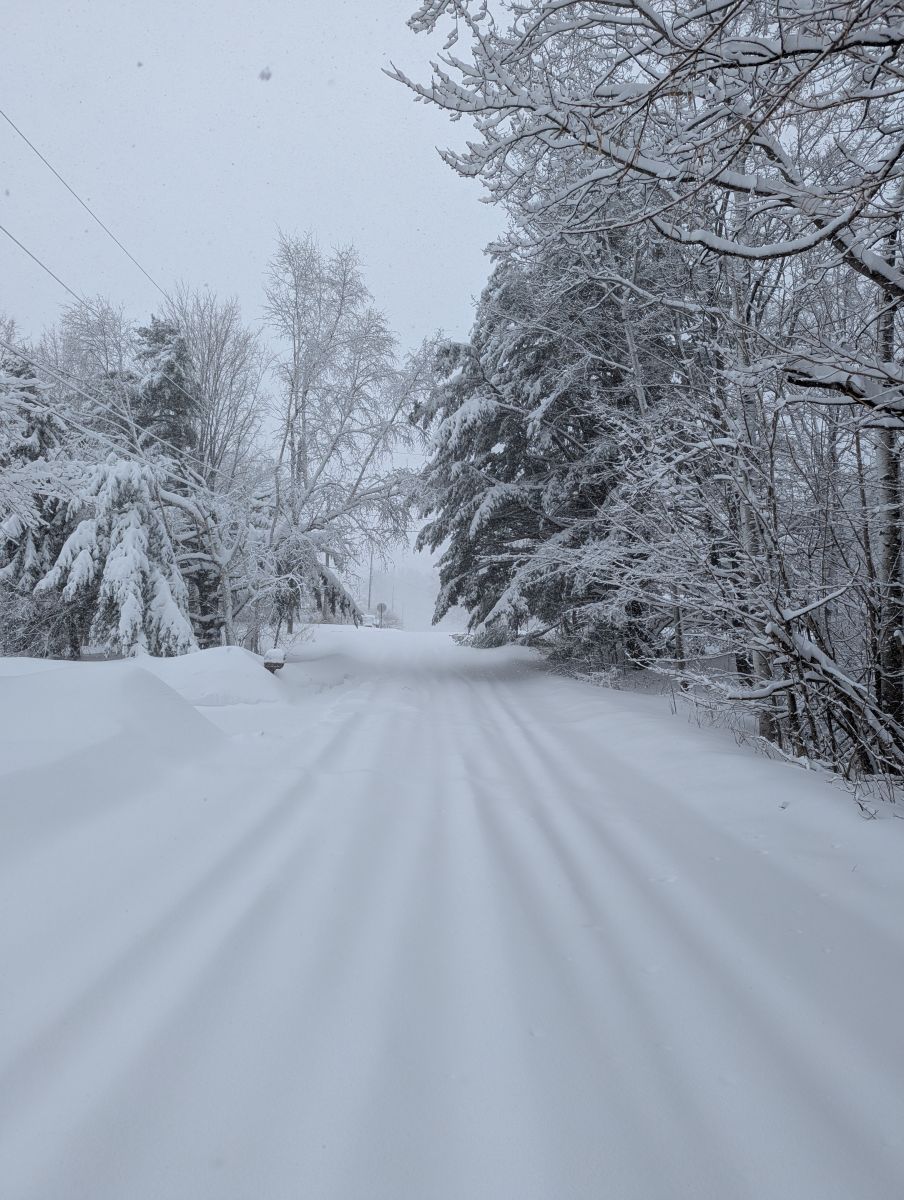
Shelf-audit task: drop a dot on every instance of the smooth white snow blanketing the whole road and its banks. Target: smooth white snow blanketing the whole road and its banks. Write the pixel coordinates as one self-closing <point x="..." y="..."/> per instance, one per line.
<point x="415" y="921"/>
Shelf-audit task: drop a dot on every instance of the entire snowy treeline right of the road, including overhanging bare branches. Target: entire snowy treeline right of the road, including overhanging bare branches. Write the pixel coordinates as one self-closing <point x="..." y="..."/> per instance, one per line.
<point x="673" y="440"/>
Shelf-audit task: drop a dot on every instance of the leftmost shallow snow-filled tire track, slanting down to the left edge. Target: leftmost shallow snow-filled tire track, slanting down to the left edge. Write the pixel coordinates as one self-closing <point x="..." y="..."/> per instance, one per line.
<point x="158" y="959"/>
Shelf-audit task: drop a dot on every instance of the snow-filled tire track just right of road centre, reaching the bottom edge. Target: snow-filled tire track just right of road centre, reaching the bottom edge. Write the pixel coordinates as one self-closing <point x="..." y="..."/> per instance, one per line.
<point x="598" y="1071"/>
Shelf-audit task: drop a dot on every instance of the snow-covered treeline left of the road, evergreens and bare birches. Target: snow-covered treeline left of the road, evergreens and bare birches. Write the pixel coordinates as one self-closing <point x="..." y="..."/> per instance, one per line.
<point x="195" y="482"/>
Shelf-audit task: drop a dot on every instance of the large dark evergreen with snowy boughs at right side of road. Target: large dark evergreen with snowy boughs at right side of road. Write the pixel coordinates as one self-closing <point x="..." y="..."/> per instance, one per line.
<point x="526" y="423"/>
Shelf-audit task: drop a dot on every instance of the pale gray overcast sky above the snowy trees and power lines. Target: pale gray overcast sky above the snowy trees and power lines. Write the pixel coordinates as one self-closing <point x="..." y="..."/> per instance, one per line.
<point x="155" y="113"/>
